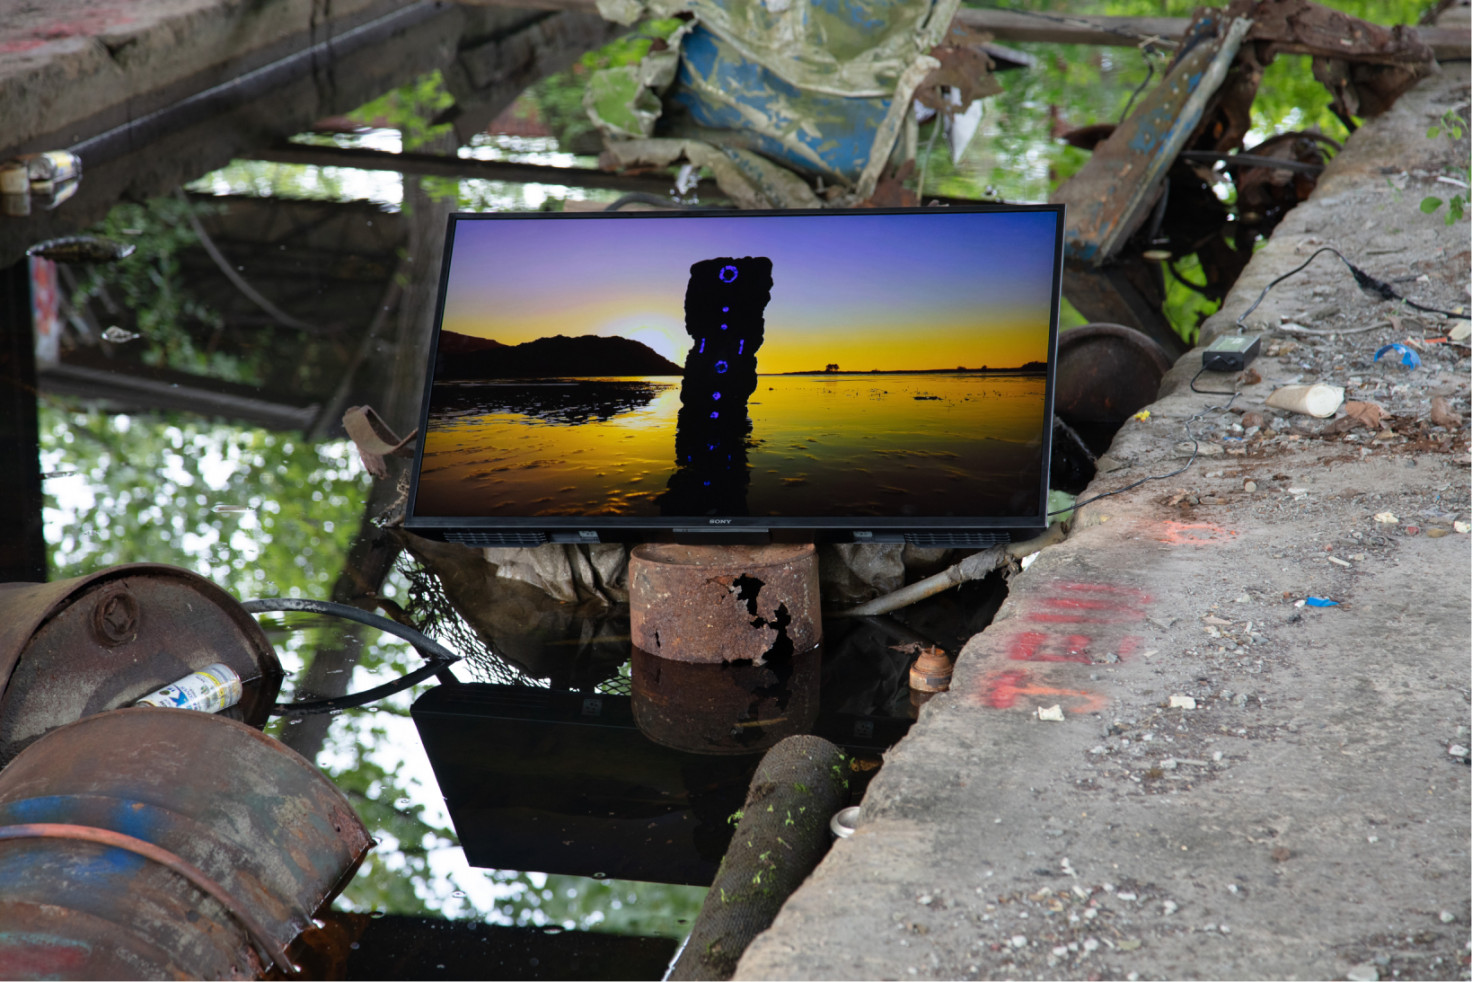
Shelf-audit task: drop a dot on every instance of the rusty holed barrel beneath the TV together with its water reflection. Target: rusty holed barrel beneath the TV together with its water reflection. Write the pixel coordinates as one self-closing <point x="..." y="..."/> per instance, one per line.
<point x="726" y="646"/>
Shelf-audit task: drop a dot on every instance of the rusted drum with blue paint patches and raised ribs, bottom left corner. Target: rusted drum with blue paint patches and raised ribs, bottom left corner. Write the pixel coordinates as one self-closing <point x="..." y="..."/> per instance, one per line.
<point x="157" y="843"/>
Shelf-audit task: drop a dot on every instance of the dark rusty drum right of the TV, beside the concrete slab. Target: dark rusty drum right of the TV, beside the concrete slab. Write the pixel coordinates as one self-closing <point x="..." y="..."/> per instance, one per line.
<point x="1106" y="373"/>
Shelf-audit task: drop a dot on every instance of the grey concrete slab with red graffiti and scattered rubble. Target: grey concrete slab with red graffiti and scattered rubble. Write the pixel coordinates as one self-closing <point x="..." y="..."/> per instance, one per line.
<point x="1240" y="787"/>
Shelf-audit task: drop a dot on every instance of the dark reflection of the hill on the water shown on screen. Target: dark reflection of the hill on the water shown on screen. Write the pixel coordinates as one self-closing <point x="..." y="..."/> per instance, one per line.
<point x="562" y="401"/>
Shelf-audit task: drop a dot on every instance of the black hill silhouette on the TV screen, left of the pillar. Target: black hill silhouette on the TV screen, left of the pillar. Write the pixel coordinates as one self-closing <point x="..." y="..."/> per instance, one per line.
<point x="550" y="357"/>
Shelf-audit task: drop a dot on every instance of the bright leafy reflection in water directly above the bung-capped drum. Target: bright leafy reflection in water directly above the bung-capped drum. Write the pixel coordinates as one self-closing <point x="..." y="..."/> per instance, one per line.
<point x="146" y="490"/>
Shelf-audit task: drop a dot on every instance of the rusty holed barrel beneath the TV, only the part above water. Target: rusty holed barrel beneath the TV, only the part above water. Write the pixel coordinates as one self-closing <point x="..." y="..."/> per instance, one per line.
<point x="721" y="604"/>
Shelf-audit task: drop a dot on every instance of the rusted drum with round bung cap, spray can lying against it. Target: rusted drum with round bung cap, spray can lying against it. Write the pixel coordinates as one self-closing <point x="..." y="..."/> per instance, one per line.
<point x="99" y="643"/>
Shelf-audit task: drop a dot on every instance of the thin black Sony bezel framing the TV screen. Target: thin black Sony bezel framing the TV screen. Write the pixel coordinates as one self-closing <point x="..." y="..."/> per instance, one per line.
<point x="734" y="529"/>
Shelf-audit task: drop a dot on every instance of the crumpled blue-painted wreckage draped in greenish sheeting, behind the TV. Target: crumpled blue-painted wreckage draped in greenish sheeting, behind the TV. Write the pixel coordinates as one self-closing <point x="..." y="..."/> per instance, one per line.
<point x="781" y="101"/>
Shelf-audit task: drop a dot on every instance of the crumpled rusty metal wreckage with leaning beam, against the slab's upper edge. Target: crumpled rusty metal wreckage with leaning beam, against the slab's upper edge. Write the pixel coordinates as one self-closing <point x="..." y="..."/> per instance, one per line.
<point x="1147" y="188"/>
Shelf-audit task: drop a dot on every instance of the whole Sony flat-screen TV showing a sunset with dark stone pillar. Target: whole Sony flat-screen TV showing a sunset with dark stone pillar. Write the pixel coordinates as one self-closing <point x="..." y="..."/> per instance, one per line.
<point x="856" y="376"/>
